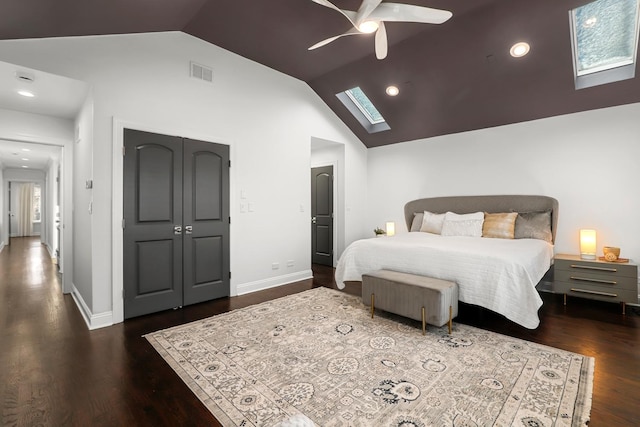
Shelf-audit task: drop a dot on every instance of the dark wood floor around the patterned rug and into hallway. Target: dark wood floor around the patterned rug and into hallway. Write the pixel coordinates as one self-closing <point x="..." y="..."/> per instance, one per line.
<point x="54" y="372"/>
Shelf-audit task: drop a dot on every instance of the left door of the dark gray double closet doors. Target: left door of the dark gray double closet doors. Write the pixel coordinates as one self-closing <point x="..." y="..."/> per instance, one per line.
<point x="152" y="264"/>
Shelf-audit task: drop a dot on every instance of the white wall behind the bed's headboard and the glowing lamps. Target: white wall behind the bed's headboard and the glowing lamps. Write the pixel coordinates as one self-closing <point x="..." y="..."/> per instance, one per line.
<point x="588" y="161"/>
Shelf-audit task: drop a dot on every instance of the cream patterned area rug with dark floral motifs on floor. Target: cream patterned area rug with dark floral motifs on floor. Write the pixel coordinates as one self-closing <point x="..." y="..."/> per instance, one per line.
<point x="318" y="358"/>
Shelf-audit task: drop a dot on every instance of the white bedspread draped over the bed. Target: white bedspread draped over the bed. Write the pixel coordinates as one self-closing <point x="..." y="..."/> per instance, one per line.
<point x="498" y="274"/>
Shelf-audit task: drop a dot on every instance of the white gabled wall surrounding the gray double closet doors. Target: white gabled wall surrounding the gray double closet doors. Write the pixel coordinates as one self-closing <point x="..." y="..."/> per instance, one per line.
<point x="267" y="118"/>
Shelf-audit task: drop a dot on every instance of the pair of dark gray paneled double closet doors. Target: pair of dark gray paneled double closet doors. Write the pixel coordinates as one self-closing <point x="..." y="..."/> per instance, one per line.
<point x="176" y="222"/>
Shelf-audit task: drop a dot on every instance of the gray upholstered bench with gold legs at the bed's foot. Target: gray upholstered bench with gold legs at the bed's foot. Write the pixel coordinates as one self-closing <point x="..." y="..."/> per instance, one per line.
<point x="430" y="300"/>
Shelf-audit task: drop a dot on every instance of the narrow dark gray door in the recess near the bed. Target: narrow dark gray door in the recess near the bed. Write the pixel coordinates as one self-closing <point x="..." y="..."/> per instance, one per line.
<point x="322" y="215"/>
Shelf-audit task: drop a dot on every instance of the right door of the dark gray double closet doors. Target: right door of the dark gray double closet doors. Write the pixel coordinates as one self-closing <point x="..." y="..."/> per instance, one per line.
<point x="206" y="219"/>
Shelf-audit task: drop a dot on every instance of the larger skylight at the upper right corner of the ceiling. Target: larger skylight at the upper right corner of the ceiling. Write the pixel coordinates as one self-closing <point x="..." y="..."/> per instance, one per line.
<point x="605" y="41"/>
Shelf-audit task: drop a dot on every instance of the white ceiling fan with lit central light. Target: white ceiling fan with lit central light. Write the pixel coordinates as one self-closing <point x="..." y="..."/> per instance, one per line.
<point x="372" y="15"/>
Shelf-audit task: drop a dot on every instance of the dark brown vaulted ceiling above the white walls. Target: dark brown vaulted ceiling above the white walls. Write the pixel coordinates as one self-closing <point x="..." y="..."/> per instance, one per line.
<point x="453" y="77"/>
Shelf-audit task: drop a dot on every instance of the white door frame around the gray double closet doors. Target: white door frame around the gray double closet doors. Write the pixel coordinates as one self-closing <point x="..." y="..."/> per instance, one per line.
<point x="117" y="203"/>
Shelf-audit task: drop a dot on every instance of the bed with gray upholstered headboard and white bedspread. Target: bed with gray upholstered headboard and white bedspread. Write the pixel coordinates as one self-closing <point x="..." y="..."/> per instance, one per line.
<point x="499" y="274"/>
